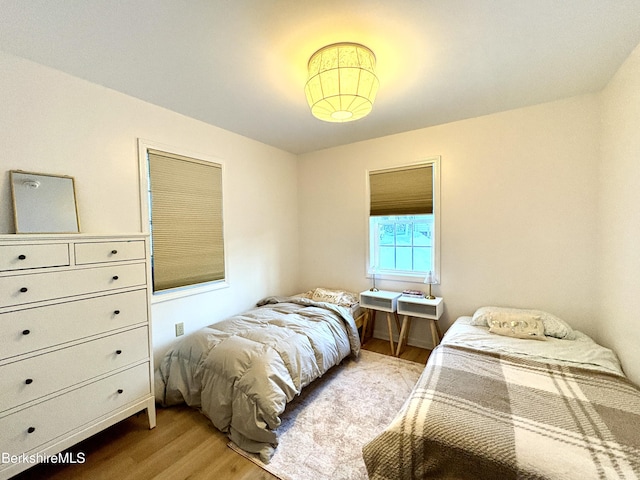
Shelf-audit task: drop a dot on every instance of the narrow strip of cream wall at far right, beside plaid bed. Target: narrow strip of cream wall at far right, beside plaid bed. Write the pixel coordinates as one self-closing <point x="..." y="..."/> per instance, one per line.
<point x="619" y="295"/>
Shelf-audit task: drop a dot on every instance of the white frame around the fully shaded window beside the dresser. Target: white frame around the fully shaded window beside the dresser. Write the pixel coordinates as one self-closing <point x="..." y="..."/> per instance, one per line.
<point x="143" y="147"/>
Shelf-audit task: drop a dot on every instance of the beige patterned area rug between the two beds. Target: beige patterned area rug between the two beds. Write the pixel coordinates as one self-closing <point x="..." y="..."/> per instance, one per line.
<point x="323" y="430"/>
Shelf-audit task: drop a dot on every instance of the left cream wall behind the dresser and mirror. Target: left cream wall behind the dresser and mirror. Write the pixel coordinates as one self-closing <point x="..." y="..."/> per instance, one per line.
<point x="51" y="122"/>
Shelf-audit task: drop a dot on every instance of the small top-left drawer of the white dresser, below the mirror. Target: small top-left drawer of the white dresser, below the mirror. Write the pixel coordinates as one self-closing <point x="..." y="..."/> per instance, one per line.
<point x="22" y="257"/>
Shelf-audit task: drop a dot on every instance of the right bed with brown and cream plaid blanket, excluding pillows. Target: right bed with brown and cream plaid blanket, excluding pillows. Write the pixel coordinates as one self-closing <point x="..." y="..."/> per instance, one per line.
<point x="483" y="414"/>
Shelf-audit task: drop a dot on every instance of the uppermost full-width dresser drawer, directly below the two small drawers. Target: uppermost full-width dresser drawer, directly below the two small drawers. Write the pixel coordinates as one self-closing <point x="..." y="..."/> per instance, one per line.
<point x="23" y="289"/>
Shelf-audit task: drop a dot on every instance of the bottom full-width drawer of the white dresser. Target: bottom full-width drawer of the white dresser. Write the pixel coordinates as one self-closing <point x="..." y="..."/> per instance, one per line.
<point x="34" y="426"/>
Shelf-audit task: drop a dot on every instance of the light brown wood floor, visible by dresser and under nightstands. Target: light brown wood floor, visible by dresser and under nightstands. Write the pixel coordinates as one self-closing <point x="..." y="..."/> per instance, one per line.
<point x="183" y="445"/>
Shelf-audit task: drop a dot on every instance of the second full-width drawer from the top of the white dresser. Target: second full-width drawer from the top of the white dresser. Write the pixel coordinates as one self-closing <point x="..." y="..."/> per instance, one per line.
<point x="31" y="329"/>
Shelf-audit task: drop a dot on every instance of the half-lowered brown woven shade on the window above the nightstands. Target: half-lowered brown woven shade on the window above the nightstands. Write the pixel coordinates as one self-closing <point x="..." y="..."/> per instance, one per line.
<point x="402" y="191"/>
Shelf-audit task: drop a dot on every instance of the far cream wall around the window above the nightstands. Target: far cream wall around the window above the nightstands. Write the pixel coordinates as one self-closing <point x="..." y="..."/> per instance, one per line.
<point x="518" y="211"/>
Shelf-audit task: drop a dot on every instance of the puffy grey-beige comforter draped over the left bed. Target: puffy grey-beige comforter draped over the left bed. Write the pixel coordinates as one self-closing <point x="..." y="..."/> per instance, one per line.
<point x="244" y="370"/>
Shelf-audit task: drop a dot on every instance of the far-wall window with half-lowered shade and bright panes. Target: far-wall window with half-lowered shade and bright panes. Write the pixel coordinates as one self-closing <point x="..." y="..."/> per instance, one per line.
<point x="403" y="221"/>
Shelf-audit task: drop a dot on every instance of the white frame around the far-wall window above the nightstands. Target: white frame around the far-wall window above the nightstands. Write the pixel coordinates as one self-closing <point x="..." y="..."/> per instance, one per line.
<point x="405" y="276"/>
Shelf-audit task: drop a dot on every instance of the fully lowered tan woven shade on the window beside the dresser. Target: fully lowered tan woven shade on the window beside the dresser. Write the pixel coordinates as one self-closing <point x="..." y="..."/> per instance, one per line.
<point x="186" y="220"/>
